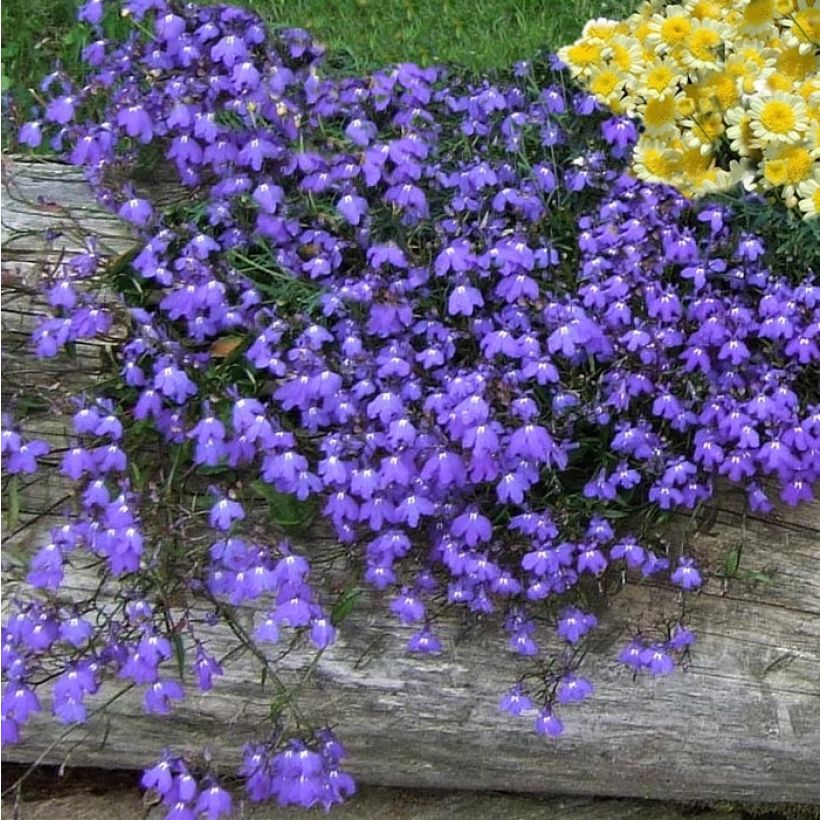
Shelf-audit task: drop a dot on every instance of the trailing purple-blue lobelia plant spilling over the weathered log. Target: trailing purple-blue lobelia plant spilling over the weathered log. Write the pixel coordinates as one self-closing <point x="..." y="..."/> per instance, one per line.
<point x="439" y="311"/>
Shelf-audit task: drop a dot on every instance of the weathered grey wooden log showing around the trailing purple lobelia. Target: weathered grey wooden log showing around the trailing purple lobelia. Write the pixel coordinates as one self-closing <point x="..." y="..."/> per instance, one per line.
<point x="741" y="723"/>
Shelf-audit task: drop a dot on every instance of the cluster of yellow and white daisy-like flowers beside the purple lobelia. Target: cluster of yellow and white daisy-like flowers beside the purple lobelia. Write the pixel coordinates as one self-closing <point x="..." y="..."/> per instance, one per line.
<point x="727" y="92"/>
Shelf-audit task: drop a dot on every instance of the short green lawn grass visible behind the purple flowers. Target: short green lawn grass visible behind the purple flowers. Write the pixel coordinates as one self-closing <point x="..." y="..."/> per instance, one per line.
<point x="476" y="34"/>
